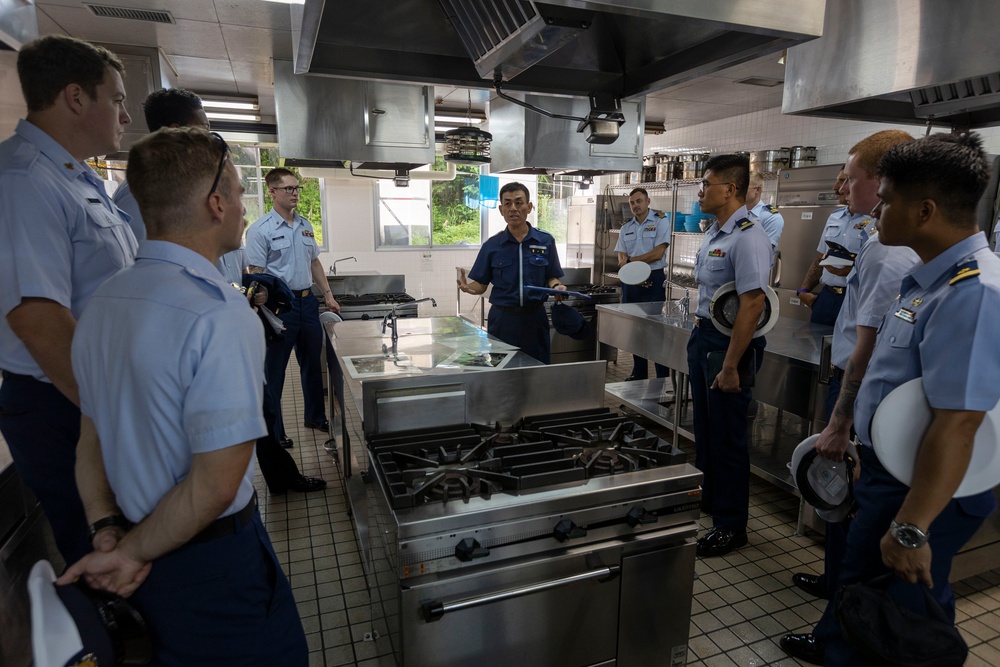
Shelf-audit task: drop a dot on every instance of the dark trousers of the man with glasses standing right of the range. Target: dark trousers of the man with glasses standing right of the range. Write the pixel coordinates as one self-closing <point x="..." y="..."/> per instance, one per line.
<point x="720" y="431"/>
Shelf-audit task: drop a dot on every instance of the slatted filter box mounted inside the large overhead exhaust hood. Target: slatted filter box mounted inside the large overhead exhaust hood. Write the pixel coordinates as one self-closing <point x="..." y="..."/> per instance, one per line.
<point x="511" y="35"/>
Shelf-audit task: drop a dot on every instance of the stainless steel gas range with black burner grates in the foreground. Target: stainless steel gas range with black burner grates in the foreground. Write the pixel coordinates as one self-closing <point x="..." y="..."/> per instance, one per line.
<point x="562" y="540"/>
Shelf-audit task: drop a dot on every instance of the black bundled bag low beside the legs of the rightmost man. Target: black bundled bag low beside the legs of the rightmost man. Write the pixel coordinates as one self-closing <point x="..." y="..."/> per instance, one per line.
<point x="887" y="634"/>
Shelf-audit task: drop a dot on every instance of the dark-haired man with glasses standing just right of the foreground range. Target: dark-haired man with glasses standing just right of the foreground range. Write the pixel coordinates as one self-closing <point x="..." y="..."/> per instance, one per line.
<point x="737" y="250"/>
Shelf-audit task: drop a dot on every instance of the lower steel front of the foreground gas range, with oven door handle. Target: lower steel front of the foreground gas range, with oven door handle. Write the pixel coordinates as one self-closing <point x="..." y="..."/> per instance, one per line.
<point x="576" y="608"/>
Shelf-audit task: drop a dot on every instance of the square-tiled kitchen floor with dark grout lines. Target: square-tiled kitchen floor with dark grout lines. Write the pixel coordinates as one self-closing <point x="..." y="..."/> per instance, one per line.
<point x="743" y="602"/>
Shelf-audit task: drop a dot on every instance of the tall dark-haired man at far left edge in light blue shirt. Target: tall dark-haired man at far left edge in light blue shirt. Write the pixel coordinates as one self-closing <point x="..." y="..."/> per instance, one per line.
<point x="60" y="238"/>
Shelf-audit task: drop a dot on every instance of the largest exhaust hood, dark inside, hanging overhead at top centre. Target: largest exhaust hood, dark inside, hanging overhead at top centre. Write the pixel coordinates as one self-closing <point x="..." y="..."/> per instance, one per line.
<point x="625" y="48"/>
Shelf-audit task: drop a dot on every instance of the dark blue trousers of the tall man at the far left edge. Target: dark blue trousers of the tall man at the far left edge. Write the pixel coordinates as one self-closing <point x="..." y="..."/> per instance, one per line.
<point x="42" y="427"/>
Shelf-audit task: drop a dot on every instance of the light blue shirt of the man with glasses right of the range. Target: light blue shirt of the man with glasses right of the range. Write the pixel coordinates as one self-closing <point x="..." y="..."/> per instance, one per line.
<point x="738" y="251"/>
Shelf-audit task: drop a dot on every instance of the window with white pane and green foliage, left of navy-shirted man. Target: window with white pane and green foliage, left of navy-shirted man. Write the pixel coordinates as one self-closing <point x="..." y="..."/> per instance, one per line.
<point x="431" y="213"/>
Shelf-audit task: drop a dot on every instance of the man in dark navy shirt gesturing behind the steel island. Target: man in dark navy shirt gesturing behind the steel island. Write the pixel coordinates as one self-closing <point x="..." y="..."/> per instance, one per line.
<point x="519" y="257"/>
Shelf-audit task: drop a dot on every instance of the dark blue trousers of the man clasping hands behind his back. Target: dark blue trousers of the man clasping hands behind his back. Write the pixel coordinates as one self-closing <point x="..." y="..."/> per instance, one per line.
<point x="222" y="602"/>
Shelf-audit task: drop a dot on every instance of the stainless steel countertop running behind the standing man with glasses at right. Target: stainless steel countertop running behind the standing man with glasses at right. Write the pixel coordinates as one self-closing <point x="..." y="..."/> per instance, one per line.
<point x="789" y="339"/>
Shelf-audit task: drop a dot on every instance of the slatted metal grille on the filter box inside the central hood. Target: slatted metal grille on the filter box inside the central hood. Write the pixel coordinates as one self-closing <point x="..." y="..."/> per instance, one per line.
<point x="484" y="26"/>
